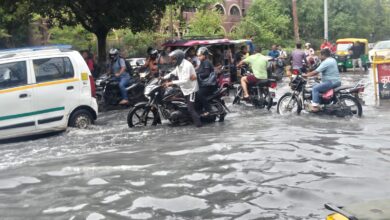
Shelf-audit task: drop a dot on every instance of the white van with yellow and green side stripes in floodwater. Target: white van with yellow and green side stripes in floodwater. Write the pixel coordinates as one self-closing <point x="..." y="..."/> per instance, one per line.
<point x="44" y="89"/>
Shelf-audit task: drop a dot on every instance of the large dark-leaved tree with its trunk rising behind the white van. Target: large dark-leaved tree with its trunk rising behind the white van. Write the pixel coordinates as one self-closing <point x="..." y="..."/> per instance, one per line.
<point x="99" y="17"/>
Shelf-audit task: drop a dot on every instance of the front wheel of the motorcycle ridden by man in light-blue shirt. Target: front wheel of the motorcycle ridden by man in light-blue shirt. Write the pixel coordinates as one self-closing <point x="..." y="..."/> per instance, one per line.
<point x="288" y="105"/>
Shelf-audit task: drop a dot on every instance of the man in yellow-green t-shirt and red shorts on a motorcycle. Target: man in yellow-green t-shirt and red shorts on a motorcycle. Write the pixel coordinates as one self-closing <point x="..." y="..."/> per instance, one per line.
<point x="258" y="63"/>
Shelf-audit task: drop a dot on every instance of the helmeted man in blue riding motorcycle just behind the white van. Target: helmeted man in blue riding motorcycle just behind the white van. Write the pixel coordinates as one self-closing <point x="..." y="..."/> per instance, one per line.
<point x="117" y="68"/>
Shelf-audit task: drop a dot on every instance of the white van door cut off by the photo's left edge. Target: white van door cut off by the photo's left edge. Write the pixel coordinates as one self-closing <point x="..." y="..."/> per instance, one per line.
<point x="16" y="114"/>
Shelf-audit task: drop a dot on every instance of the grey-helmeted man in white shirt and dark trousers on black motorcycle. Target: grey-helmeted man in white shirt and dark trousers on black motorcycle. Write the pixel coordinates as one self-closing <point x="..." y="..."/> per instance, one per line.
<point x="187" y="81"/>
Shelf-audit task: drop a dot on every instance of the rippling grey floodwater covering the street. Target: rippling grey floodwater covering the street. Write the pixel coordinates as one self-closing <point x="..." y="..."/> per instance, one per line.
<point x="255" y="165"/>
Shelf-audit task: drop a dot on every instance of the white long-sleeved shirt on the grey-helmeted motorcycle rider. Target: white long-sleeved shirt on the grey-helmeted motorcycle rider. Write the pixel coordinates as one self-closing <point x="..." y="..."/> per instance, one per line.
<point x="184" y="72"/>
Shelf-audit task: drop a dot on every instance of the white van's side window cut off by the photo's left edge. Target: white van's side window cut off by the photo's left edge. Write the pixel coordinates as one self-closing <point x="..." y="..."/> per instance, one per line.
<point x="13" y="74"/>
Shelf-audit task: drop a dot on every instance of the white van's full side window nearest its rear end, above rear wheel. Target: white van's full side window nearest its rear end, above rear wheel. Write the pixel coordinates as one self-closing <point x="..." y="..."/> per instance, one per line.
<point x="50" y="69"/>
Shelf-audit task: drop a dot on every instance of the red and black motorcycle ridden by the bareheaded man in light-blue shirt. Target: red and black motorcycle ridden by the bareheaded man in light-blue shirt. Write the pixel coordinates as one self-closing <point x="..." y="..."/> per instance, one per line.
<point x="340" y="101"/>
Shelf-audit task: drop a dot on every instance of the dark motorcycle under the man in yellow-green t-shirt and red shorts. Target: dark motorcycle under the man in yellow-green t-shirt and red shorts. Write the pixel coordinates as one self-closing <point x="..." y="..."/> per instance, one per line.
<point x="261" y="94"/>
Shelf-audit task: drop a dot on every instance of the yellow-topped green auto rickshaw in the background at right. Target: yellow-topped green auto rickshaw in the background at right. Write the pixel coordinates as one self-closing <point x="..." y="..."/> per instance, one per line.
<point x="343" y="57"/>
